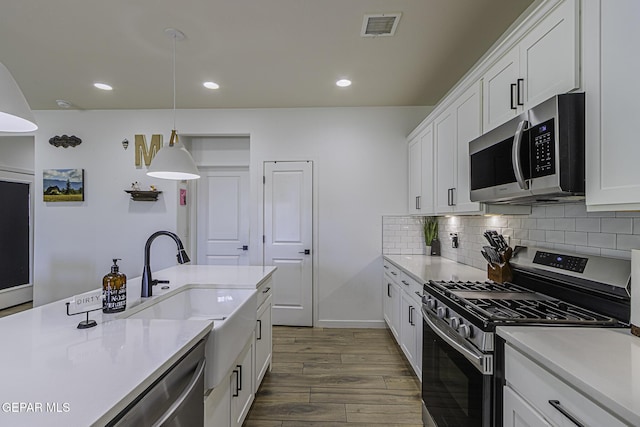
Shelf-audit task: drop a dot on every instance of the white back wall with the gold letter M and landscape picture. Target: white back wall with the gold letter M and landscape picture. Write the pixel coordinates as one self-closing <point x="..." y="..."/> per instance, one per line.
<point x="359" y="159"/>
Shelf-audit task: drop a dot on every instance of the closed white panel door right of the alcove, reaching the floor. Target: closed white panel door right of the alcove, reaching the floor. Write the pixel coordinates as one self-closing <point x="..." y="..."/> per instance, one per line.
<point x="288" y="195"/>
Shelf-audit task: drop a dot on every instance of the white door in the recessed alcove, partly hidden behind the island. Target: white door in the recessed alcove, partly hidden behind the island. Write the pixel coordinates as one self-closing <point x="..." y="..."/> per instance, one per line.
<point x="223" y="217"/>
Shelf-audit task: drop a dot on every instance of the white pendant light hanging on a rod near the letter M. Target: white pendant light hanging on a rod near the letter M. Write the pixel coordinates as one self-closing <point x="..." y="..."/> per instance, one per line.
<point x="173" y="161"/>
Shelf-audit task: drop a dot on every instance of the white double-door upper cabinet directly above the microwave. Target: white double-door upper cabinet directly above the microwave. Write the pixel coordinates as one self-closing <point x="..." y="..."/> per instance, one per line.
<point x="545" y="62"/>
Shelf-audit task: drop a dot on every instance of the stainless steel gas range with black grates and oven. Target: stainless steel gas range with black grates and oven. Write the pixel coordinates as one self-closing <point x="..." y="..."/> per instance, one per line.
<point x="462" y="366"/>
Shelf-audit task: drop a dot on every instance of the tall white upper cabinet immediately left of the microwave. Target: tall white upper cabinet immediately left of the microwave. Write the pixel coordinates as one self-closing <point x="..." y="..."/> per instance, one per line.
<point x="453" y="130"/>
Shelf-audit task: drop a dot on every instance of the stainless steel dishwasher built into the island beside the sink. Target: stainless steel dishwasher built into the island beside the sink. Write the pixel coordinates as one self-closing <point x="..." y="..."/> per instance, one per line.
<point x="175" y="400"/>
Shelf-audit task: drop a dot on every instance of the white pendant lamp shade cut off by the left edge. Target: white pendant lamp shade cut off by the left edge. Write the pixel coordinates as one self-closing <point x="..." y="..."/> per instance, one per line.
<point x="15" y="114"/>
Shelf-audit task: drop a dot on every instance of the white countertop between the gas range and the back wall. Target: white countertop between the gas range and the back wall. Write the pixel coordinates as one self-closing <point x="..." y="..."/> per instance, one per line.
<point x="425" y="267"/>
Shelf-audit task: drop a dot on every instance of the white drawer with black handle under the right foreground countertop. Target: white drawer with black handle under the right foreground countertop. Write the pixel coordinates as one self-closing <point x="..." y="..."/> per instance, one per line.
<point x="538" y="387"/>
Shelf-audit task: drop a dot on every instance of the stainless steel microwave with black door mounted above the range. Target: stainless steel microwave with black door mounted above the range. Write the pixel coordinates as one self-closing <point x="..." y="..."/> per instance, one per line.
<point x="536" y="157"/>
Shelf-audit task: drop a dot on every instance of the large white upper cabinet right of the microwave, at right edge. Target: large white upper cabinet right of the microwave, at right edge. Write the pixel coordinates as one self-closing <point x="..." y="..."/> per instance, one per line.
<point x="611" y="32"/>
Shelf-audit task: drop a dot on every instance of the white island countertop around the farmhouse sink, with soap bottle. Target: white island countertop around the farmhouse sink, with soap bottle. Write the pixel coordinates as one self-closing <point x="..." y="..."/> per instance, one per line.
<point x="53" y="374"/>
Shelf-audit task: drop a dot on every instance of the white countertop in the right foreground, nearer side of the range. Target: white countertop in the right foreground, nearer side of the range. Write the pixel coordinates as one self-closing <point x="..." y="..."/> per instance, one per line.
<point x="602" y="363"/>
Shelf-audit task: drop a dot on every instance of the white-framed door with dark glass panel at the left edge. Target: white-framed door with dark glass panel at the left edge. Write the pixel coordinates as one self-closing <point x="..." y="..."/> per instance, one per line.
<point x="16" y="246"/>
